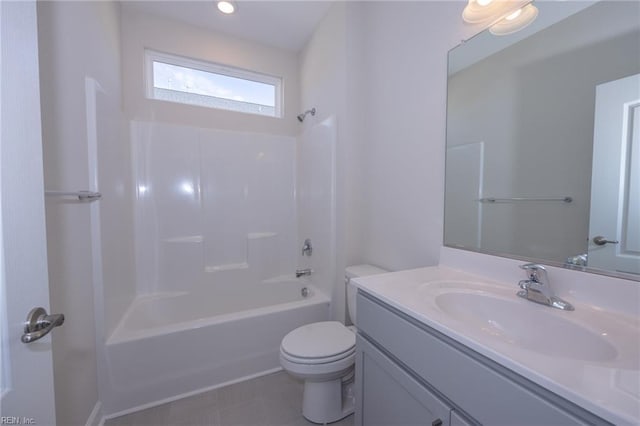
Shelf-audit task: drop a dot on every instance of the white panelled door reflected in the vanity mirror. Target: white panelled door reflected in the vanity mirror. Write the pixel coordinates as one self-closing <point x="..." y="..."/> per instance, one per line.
<point x="614" y="227"/>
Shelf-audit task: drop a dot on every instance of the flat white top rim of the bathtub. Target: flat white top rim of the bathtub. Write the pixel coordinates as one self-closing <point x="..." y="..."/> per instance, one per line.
<point x="121" y="335"/>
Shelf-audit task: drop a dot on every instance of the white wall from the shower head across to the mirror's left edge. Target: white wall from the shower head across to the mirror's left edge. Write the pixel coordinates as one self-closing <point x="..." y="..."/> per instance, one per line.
<point x="381" y="68"/>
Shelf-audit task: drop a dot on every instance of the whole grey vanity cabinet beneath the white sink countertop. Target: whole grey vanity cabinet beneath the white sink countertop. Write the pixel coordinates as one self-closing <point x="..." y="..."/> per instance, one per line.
<point x="410" y="374"/>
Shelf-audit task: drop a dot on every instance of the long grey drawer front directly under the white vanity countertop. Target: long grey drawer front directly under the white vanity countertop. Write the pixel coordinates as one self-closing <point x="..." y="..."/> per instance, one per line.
<point x="490" y="393"/>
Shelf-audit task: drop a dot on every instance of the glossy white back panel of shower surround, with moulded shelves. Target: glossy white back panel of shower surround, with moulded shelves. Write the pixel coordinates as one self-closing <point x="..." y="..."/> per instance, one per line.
<point x="211" y="205"/>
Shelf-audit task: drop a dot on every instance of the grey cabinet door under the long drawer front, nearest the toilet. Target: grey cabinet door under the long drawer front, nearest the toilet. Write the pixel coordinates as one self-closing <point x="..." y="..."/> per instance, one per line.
<point x="390" y="396"/>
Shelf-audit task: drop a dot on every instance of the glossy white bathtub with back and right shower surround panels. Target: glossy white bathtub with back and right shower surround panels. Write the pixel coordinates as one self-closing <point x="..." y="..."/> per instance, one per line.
<point x="216" y="224"/>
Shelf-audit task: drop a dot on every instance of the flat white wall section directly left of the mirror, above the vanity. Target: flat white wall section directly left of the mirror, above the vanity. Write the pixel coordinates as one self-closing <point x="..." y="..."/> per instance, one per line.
<point x="405" y="76"/>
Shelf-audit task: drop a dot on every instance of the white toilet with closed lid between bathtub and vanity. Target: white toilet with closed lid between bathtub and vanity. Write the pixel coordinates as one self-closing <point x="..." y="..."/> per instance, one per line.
<point x="323" y="355"/>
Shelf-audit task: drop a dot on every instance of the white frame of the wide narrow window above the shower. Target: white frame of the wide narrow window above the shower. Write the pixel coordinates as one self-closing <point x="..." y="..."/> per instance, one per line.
<point x="151" y="56"/>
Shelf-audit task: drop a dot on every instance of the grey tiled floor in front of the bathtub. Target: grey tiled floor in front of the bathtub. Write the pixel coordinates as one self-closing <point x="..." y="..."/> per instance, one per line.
<point x="272" y="400"/>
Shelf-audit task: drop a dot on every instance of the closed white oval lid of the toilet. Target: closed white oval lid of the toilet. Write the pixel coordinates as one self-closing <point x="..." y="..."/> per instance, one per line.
<point x="319" y="340"/>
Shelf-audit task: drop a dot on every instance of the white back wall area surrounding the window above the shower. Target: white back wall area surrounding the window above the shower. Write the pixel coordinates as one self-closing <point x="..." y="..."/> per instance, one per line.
<point x="140" y="31"/>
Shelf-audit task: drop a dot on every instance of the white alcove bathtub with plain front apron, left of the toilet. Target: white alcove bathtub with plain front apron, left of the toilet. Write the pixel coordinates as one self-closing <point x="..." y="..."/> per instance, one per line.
<point x="168" y="346"/>
